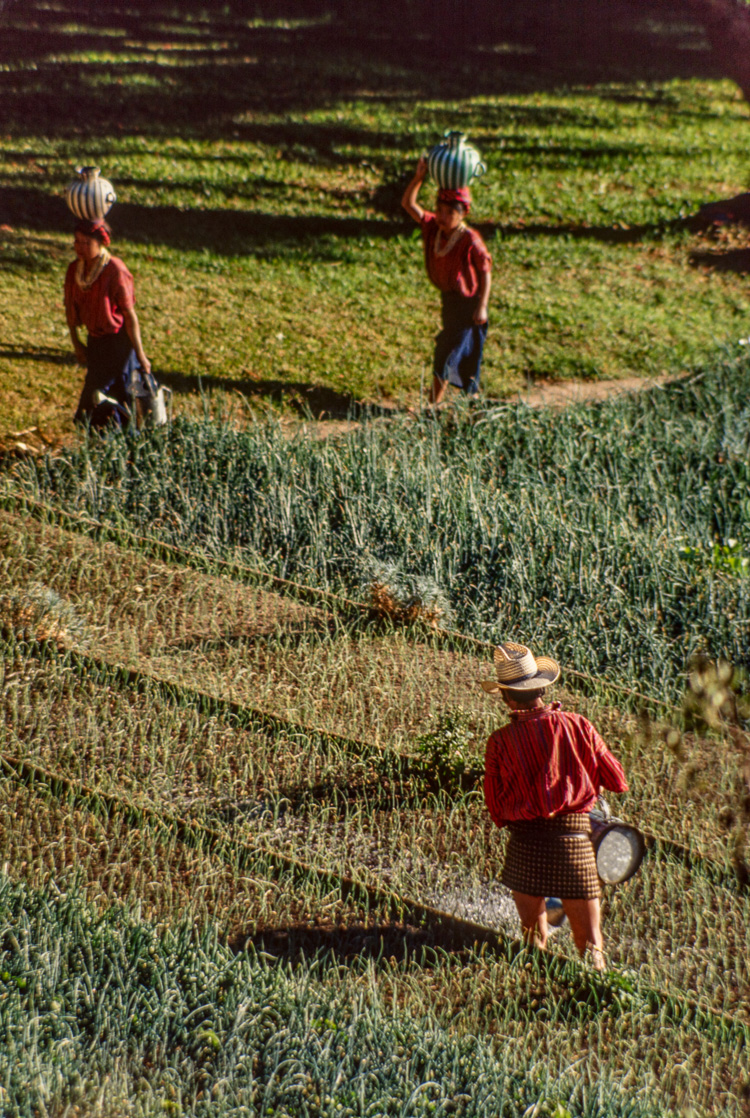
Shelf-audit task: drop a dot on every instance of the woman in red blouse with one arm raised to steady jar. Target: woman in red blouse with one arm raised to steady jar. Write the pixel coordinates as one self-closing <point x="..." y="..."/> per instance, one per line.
<point x="461" y="268"/>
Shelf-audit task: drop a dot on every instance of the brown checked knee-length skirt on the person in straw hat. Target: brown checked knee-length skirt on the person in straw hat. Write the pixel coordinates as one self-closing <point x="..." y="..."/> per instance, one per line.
<point x="553" y="858"/>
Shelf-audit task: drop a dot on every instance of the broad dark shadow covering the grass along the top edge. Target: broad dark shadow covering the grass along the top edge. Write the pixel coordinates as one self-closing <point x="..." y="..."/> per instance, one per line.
<point x="203" y="71"/>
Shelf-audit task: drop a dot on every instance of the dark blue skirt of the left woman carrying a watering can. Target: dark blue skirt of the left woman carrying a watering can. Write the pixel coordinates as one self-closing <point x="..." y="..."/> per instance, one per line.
<point x="110" y="365"/>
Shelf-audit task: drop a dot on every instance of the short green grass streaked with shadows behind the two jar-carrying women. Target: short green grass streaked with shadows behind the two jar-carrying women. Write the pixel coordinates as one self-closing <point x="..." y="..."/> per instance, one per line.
<point x="260" y="168"/>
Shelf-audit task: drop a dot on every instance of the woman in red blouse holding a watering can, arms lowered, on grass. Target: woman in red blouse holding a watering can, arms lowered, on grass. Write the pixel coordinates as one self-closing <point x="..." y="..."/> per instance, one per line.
<point x="99" y="296"/>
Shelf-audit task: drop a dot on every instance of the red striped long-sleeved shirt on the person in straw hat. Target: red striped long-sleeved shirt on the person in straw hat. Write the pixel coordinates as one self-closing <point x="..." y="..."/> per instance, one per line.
<point x="547" y="762"/>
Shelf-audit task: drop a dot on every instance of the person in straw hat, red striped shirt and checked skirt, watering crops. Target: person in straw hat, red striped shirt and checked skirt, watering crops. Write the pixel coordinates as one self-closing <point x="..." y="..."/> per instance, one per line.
<point x="544" y="773"/>
